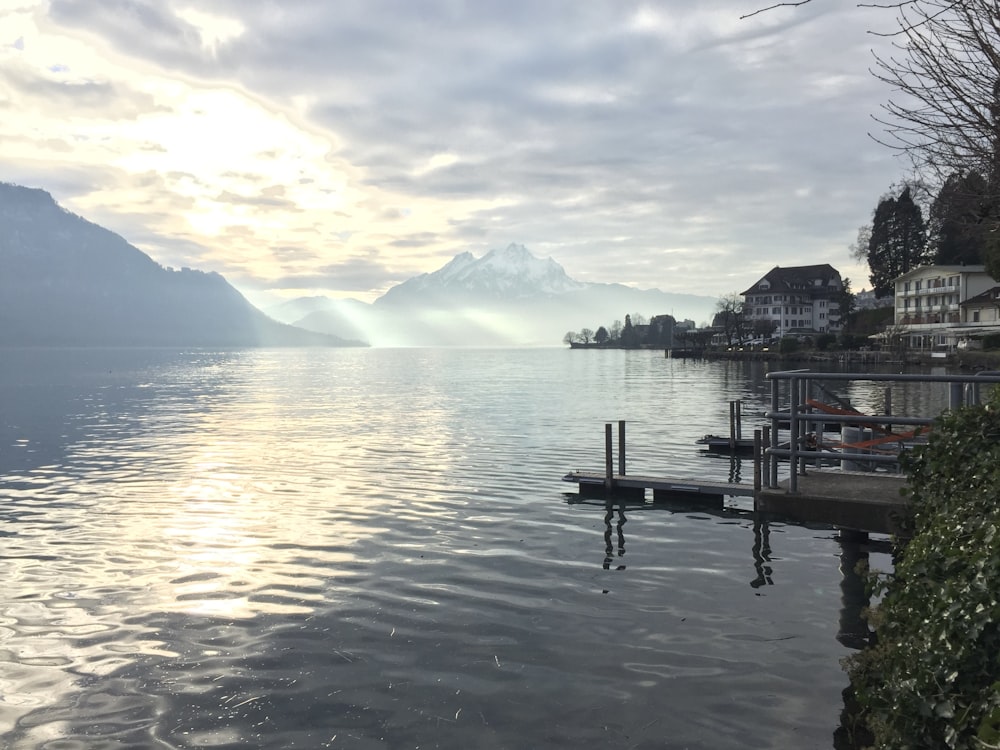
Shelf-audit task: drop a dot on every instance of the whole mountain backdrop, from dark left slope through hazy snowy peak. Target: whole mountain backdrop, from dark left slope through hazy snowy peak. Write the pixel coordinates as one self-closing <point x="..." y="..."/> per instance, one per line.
<point x="68" y="282"/>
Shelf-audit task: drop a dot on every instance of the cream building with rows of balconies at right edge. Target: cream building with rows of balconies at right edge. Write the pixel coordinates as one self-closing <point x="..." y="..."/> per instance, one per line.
<point x="942" y="305"/>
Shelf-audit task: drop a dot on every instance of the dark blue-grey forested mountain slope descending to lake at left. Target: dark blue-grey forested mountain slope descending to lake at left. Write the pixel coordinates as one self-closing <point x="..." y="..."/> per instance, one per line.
<point x="65" y="281"/>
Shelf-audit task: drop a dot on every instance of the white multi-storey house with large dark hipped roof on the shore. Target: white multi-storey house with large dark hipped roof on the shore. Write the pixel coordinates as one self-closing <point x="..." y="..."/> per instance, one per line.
<point x="798" y="299"/>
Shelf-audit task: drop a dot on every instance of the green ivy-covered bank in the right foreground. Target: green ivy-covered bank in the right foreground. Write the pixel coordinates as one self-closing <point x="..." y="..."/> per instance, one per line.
<point x="932" y="678"/>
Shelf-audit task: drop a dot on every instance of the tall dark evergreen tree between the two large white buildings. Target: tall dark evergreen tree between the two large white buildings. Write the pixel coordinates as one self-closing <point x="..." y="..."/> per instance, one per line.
<point x="898" y="241"/>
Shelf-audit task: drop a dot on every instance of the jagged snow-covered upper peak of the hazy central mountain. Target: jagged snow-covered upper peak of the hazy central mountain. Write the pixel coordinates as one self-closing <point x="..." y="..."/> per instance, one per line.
<point x="508" y="274"/>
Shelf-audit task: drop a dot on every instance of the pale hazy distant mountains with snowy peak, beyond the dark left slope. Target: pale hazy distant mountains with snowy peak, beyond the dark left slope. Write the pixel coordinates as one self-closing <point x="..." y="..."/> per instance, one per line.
<point x="508" y="297"/>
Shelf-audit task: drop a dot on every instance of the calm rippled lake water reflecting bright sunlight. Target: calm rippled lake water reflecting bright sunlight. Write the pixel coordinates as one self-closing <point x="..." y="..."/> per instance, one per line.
<point x="374" y="549"/>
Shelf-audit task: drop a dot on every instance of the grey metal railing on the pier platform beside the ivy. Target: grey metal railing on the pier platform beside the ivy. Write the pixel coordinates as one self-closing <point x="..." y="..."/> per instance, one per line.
<point x="802" y="394"/>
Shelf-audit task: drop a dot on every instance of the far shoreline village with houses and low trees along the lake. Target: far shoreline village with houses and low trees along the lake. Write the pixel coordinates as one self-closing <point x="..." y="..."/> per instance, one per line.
<point x="933" y="308"/>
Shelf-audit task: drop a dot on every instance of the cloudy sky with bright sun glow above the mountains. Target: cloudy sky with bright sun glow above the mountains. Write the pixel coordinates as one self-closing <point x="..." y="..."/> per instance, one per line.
<point x="306" y="147"/>
